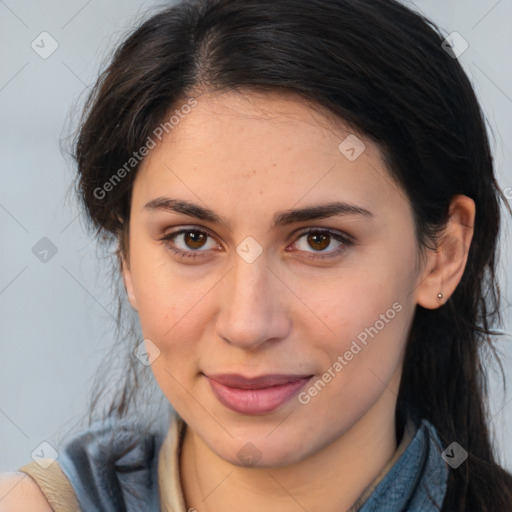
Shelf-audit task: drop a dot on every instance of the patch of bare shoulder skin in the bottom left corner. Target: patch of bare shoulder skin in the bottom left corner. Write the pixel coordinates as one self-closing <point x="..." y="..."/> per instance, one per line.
<point x="18" y="493"/>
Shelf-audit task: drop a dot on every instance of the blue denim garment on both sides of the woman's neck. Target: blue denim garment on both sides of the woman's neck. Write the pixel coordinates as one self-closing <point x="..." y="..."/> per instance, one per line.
<point x="113" y="468"/>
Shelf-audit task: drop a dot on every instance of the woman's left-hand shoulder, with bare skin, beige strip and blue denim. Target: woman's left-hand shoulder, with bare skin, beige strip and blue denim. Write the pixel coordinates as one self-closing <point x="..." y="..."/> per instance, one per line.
<point x="110" y="465"/>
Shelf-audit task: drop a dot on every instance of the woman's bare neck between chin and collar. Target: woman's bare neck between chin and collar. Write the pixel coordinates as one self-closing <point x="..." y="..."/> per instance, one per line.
<point x="335" y="476"/>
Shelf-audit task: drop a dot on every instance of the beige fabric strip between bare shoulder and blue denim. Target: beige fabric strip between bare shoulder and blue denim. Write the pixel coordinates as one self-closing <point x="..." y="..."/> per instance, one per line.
<point x="53" y="484"/>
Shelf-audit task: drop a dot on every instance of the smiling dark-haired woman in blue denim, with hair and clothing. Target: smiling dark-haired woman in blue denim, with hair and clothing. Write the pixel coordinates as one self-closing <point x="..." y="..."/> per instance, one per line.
<point x="304" y="206"/>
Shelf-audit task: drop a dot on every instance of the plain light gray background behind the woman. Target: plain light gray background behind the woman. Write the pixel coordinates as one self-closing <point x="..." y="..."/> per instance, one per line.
<point x="55" y="317"/>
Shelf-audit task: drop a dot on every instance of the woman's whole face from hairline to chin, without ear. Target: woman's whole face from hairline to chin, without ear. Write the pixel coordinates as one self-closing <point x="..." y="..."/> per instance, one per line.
<point x="318" y="303"/>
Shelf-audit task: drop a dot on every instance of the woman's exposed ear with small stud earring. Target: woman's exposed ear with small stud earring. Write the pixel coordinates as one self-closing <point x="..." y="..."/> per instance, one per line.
<point x="445" y="266"/>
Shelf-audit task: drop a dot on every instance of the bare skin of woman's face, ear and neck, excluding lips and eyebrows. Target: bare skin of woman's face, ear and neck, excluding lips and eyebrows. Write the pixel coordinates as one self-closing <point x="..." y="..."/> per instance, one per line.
<point x="247" y="157"/>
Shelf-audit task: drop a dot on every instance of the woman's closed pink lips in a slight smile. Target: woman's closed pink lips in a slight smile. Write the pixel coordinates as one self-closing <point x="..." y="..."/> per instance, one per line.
<point x="258" y="395"/>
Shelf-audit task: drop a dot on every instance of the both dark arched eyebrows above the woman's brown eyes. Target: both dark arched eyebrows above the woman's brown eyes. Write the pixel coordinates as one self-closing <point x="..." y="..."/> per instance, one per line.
<point x="283" y="218"/>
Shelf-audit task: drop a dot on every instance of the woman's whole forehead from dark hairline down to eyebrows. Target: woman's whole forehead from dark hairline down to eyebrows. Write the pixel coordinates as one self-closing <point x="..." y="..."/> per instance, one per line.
<point x="269" y="147"/>
